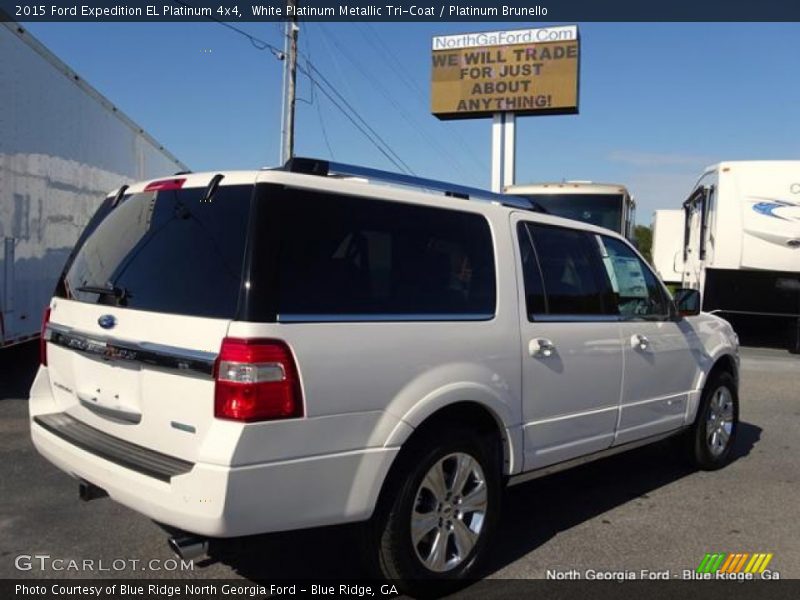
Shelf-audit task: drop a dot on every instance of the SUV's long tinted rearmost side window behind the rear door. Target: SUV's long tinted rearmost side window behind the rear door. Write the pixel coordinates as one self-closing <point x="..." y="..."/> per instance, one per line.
<point x="349" y="258"/>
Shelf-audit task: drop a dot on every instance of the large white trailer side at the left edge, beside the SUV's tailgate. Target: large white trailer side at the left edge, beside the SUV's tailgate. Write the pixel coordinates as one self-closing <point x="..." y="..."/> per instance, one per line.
<point x="62" y="147"/>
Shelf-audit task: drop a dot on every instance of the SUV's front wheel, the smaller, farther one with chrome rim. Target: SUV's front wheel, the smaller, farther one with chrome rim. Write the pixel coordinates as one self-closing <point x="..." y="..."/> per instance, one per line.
<point x="710" y="441"/>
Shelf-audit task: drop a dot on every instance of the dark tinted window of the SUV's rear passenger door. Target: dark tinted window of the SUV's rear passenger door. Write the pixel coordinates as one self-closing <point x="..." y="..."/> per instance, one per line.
<point x="573" y="281"/>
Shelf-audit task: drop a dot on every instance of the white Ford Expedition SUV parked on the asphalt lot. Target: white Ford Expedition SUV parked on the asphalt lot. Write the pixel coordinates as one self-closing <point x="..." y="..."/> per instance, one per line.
<point x="246" y="352"/>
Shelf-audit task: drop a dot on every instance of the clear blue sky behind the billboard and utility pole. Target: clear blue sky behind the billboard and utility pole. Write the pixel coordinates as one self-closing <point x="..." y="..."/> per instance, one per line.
<point x="658" y="101"/>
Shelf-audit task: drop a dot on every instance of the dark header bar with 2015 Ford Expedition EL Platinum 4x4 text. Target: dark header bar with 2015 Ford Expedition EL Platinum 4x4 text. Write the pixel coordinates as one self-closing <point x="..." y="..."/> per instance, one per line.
<point x="529" y="12"/>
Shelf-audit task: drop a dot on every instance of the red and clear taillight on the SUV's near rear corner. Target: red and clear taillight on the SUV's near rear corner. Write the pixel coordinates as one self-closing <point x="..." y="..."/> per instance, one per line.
<point x="256" y="380"/>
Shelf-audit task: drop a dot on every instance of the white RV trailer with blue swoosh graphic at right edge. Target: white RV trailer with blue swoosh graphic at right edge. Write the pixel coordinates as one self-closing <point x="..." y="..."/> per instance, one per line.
<point x="742" y="242"/>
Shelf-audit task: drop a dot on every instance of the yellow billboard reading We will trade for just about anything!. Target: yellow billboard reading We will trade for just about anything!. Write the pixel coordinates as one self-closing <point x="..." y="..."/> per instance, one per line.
<point x="527" y="72"/>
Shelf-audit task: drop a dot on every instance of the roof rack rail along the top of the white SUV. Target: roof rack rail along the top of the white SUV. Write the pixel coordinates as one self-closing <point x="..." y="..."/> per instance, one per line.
<point x="324" y="168"/>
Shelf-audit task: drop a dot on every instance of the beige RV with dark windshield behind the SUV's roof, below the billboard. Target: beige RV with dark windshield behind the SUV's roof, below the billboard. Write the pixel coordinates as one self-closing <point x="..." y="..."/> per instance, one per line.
<point x="608" y="205"/>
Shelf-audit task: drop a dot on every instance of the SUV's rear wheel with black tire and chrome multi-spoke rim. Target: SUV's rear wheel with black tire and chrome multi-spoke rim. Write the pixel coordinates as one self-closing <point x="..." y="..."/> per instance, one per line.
<point x="430" y="532"/>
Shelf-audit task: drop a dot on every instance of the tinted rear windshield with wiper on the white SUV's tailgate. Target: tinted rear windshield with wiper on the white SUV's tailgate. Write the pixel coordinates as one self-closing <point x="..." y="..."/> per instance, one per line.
<point x="166" y="251"/>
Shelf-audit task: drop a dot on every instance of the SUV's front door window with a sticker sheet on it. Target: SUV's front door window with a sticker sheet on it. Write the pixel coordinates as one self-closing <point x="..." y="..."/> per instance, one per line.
<point x="639" y="293"/>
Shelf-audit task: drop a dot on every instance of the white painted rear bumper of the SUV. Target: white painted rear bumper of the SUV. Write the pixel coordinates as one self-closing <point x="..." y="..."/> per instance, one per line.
<point x="218" y="501"/>
